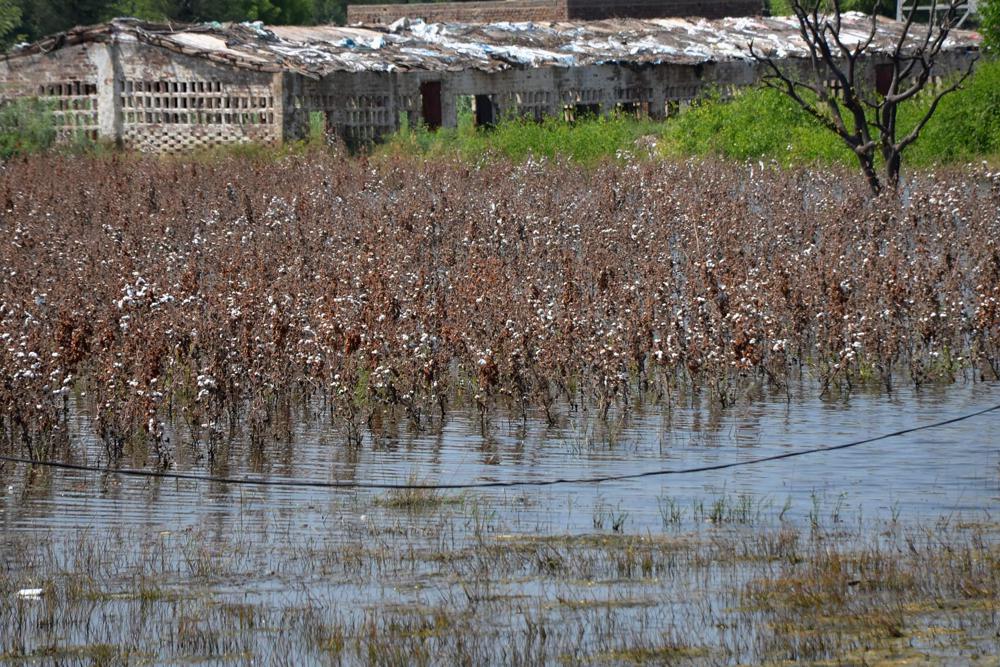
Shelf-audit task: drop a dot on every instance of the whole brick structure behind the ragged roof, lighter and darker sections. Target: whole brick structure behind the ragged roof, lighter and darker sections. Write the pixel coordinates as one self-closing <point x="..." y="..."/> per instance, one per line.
<point x="549" y="10"/>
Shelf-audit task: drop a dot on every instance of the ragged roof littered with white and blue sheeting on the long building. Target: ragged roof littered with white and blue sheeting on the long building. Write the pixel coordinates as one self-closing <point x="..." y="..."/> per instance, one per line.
<point x="416" y="45"/>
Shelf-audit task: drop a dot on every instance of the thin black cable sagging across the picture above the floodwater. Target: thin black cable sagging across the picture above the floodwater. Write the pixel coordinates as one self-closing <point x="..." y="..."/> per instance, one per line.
<point x="316" y="484"/>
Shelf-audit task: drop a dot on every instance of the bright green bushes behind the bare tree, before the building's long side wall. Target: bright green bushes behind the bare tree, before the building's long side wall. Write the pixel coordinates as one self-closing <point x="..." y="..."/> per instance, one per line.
<point x="755" y="124"/>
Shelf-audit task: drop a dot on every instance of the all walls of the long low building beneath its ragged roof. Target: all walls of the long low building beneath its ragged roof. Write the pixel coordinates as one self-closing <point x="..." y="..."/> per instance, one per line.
<point x="150" y="98"/>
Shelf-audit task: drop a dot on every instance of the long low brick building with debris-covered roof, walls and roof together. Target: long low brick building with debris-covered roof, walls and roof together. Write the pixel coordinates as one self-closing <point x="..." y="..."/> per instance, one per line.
<point x="174" y="88"/>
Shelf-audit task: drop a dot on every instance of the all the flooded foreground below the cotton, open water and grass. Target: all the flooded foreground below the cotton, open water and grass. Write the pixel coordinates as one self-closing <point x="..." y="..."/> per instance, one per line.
<point x="886" y="551"/>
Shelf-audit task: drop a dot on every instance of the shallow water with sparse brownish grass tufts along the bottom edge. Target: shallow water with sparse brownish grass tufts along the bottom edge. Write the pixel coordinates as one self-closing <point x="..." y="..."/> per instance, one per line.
<point x="426" y="593"/>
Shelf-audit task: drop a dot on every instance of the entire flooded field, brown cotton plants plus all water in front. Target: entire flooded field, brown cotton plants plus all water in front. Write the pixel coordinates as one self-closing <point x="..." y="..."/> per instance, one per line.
<point x="376" y="328"/>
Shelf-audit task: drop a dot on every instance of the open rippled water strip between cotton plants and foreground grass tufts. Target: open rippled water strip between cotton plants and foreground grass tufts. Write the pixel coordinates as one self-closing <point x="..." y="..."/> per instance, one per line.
<point x="955" y="468"/>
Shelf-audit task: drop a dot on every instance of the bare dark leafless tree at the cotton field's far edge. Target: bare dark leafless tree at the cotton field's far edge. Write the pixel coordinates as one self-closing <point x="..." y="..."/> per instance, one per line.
<point x="863" y="117"/>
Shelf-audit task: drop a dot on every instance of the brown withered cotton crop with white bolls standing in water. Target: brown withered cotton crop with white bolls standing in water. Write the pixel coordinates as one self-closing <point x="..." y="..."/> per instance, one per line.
<point x="207" y="299"/>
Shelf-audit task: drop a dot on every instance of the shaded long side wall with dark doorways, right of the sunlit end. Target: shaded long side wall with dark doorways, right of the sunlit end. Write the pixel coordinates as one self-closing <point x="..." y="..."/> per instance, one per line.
<point x="362" y="107"/>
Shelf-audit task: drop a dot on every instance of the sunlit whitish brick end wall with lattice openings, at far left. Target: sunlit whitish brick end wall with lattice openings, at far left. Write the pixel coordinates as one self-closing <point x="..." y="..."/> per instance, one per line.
<point x="148" y="98"/>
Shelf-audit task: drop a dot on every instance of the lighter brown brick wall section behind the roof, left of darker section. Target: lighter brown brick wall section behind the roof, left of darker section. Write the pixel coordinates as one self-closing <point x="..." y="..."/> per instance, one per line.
<point x="461" y="12"/>
